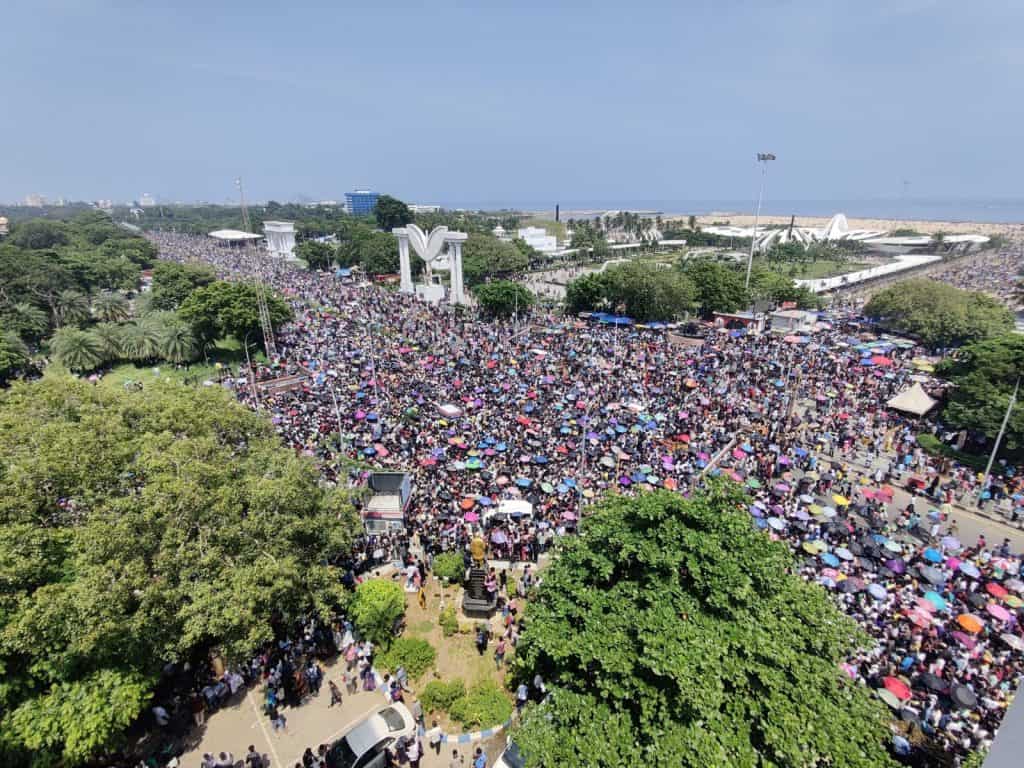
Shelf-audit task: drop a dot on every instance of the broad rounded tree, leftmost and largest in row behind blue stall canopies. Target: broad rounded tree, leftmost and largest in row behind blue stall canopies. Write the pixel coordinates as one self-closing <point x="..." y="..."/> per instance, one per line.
<point x="644" y="291"/>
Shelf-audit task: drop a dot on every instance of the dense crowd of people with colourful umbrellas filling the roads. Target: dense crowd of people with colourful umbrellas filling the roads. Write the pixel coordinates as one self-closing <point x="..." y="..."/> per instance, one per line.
<point x="558" y="411"/>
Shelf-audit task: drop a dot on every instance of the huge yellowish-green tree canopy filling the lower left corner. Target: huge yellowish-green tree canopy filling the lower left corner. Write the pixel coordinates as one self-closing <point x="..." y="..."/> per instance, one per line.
<point x="139" y="529"/>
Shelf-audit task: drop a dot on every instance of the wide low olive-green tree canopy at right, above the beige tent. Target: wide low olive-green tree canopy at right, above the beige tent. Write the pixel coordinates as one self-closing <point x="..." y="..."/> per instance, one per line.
<point x="940" y="315"/>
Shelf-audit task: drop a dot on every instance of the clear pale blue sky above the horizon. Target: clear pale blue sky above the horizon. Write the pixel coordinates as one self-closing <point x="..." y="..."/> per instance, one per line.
<point x="519" y="103"/>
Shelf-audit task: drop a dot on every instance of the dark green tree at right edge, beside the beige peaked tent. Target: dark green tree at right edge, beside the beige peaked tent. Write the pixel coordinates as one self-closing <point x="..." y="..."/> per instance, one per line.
<point x="984" y="375"/>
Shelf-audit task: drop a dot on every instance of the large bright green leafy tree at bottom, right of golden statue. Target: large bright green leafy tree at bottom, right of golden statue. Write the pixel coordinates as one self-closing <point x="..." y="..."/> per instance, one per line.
<point x="672" y="632"/>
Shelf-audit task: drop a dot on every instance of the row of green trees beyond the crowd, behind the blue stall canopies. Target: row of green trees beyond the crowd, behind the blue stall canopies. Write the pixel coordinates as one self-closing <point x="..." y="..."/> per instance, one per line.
<point x="648" y="291"/>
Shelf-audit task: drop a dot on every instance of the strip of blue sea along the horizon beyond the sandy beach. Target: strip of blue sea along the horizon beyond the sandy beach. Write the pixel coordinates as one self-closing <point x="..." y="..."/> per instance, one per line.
<point x="990" y="211"/>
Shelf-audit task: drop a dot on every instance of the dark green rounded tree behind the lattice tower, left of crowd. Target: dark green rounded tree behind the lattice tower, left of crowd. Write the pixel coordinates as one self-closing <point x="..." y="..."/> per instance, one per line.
<point x="225" y="309"/>
